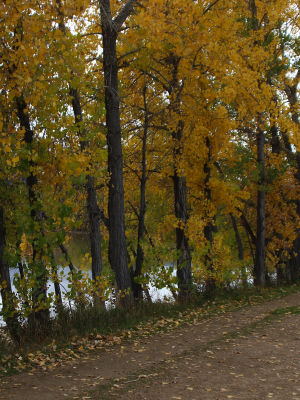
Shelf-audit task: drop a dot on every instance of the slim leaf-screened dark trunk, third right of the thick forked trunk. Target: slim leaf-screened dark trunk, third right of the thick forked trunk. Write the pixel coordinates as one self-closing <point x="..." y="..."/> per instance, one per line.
<point x="208" y="229"/>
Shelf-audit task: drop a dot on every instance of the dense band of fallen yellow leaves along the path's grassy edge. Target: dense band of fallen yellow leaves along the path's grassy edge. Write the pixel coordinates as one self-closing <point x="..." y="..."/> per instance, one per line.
<point x="53" y="356"/>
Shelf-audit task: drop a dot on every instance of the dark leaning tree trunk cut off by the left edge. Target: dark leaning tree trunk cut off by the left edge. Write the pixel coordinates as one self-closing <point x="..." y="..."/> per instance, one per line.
<point x="8" y="310"/>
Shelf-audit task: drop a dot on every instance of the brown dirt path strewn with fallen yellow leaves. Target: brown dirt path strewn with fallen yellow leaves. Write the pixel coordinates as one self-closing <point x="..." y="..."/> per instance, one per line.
<point x="252" y="353"/>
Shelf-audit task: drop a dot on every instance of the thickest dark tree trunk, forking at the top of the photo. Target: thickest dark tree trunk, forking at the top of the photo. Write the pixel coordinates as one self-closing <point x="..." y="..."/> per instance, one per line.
<point x="117" y="238"/>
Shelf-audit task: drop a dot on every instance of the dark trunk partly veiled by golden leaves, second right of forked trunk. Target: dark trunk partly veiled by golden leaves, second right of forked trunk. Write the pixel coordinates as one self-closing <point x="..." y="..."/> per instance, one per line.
<point x="184" y="262"/>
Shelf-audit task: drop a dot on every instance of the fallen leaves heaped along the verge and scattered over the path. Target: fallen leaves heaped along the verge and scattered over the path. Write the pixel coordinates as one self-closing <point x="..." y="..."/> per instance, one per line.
<point x="81" y="349"/>
